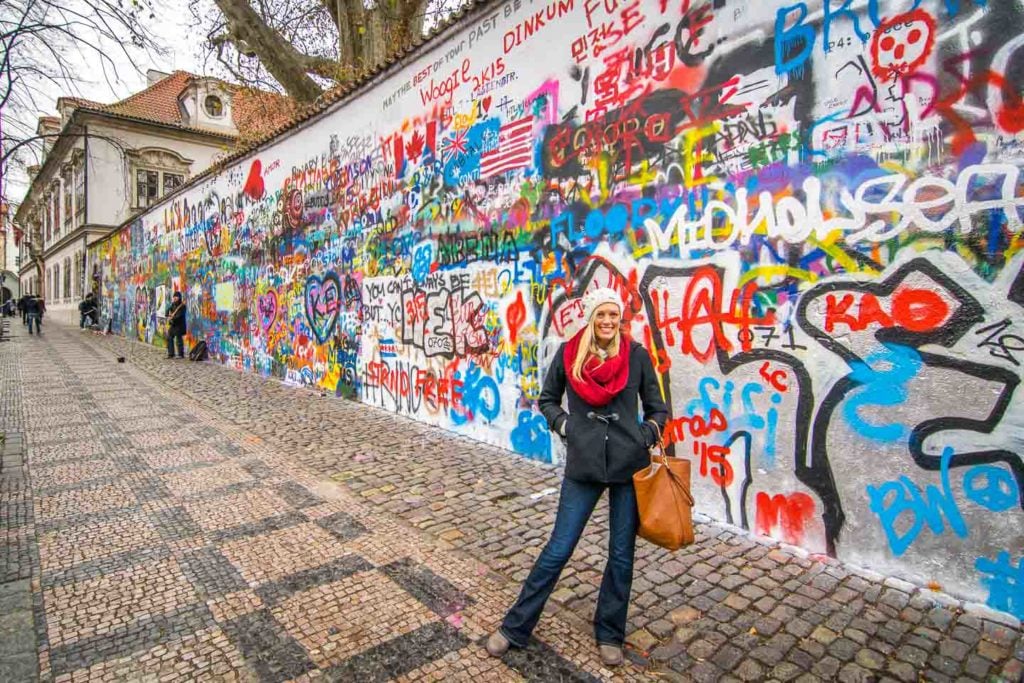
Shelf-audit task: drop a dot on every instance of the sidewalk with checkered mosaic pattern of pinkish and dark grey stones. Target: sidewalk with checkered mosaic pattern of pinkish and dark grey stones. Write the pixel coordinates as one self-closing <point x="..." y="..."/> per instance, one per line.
<point x="163" y="543"/>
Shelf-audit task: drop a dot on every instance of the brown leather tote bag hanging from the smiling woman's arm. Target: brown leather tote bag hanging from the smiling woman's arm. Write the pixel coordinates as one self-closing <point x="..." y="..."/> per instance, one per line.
<point x="664" y="500"/>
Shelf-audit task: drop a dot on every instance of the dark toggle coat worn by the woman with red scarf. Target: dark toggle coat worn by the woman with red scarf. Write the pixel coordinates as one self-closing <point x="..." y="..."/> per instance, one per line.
<point x="601" y="448"/>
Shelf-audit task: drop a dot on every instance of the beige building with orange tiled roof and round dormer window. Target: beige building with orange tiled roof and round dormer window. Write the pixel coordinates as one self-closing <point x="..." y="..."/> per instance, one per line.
<point x="105" y="163"/>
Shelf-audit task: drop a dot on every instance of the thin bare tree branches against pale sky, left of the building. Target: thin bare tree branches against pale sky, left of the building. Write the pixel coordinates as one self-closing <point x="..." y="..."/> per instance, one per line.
<point x="46" y="47"/>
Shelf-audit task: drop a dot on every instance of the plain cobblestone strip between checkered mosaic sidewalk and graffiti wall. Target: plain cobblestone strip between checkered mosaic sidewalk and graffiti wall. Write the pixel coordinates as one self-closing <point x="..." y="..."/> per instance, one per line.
<point x="730" y="608"/>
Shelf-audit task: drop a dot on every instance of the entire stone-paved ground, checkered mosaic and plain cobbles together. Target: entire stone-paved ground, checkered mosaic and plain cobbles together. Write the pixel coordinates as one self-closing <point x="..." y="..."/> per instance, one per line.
<point x="730" y="608"/>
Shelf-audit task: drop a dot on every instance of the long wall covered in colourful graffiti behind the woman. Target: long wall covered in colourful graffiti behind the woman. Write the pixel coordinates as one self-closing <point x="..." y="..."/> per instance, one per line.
<point x="813" y="212"/>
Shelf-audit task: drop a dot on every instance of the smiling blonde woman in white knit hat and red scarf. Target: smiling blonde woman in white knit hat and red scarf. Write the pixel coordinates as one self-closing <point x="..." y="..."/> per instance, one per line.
<point x="604" y="373"/>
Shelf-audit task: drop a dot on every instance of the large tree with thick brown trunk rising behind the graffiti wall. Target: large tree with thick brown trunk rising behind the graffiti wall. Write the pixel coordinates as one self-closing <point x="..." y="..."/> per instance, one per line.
<point x="309" y="47"/>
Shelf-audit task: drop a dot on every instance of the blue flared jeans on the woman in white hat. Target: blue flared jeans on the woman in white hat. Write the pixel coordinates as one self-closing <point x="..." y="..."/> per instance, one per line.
<point x="576" y="504"/>
